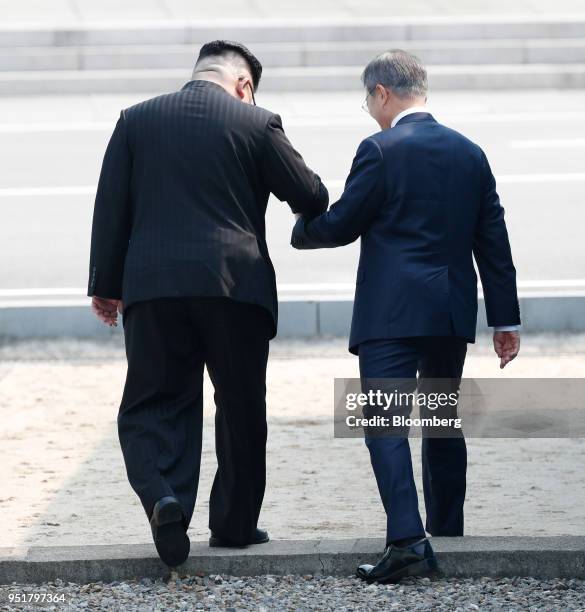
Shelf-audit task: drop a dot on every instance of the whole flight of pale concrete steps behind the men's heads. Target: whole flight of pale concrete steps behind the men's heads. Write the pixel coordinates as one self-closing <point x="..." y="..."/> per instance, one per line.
<point x="487" y="53"/>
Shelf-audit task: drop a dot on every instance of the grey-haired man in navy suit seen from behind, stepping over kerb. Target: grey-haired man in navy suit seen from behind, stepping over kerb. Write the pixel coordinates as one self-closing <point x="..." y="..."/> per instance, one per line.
<point x="423" y="200"/>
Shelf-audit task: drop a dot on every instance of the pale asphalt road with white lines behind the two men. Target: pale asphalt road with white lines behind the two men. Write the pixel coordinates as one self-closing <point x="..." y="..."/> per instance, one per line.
<point x="51" y="150"/>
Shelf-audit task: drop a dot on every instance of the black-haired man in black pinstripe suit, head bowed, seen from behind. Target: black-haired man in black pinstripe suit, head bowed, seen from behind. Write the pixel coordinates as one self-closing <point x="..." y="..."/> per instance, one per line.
<point x="178" y="247"/>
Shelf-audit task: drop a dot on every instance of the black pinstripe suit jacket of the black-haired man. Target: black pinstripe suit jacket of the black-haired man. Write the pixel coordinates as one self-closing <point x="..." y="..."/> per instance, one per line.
<point x="182" y="195"/>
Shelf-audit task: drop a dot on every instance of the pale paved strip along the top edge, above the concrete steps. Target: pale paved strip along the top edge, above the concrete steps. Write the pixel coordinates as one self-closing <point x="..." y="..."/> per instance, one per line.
<point x="81" y="12"/>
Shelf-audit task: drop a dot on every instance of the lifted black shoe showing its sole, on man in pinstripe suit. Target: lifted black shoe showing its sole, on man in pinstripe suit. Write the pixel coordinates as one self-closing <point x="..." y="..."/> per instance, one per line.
<point x="169" y="531"/>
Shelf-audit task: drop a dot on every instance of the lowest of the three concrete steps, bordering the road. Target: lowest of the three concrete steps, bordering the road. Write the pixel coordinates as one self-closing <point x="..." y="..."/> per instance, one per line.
<point x="319" y="78"/>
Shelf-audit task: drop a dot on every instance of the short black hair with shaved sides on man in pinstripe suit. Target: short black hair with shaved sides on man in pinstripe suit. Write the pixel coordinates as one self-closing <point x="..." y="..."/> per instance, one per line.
<point x="228" y="58"/>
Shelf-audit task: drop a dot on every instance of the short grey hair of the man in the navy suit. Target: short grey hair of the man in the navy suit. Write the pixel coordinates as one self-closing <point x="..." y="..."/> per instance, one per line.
<point x="399" y="71"/>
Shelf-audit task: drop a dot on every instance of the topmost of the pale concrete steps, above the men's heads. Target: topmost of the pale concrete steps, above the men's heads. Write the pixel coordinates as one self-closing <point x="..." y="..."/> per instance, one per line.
<point x="157" y="33"/>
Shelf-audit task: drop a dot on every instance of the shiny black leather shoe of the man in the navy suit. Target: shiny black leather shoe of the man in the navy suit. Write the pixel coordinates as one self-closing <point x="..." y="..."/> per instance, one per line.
<point x="417" y="559"/>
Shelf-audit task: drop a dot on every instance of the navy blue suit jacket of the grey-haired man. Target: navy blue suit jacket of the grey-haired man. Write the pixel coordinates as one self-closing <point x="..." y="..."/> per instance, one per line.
<point x="423" y="199"/>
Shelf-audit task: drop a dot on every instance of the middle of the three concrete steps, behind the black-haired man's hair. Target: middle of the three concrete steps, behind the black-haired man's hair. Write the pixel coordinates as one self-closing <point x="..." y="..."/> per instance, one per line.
<point x="312" y="54"/>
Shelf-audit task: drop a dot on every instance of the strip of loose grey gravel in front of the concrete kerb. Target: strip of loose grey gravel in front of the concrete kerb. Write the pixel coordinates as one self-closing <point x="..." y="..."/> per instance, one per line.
<point x="309" y="593"/>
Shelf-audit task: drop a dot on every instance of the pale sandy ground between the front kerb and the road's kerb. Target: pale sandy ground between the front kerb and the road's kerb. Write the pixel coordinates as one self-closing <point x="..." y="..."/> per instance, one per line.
<point x="63" y="477"/>
